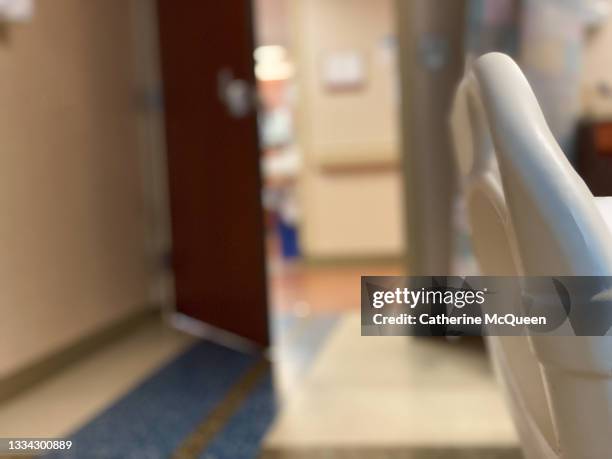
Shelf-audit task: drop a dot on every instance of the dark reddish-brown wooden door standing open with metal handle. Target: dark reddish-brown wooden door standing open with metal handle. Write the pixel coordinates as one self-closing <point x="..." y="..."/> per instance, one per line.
<point x="213" y="163"/>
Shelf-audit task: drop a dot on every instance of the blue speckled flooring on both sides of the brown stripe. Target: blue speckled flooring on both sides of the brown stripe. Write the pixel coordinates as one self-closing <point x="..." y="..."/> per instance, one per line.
<point x="153" y="420"/>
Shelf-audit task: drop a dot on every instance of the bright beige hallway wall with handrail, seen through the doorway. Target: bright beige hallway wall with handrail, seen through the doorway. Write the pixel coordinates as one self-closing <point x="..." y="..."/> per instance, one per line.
<point x="348" y="209"/>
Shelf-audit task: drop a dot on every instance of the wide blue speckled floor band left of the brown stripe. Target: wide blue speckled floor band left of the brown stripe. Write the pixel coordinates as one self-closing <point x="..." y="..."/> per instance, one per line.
<point x="152" y="420"/>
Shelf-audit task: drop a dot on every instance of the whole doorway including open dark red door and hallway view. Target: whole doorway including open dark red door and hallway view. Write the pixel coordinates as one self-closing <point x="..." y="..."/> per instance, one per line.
<point x="277" y="214"/>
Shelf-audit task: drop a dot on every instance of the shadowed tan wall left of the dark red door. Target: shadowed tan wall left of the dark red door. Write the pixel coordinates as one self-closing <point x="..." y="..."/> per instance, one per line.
<point x="72" y="255"/>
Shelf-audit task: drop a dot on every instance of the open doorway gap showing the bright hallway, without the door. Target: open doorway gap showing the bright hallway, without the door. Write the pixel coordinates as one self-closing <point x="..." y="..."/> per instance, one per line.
<point x="332" y="182"/>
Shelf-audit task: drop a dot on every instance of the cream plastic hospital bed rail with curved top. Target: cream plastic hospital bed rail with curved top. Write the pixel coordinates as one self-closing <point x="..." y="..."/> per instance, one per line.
<point x="560" y="230"/>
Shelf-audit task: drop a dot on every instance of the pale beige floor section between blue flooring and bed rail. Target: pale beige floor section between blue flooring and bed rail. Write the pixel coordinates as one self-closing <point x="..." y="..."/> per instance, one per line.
<point x="394" y="397"/>
